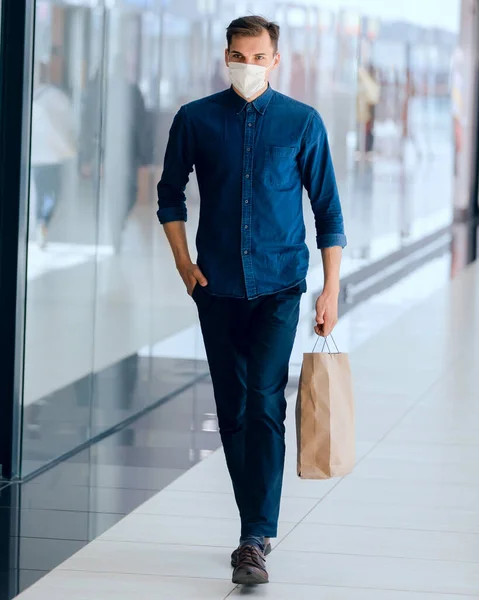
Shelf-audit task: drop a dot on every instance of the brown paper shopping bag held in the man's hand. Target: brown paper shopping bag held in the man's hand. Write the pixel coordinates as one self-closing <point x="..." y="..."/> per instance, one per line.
<point x="325" y="416"/>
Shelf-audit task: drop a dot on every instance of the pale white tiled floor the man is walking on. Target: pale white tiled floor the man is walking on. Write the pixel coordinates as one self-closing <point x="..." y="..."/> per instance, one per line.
<point x="403" y="526"/>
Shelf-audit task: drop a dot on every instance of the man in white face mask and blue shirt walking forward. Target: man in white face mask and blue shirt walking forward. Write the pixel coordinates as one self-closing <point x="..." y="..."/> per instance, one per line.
<point x="253" y="150"/>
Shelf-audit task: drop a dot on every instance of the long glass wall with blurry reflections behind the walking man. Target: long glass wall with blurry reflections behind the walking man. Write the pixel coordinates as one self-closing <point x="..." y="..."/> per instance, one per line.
<point x="110" y="329"/>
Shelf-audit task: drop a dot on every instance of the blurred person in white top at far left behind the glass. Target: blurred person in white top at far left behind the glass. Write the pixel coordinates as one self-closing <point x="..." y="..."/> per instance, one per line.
<point x="53" y="145"/>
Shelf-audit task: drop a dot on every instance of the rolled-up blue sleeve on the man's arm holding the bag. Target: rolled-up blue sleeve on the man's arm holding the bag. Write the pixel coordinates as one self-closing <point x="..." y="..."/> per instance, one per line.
<point x="320" y="182"/>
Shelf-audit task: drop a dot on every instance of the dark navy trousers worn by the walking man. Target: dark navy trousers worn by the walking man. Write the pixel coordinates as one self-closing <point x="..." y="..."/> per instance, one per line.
<point x="248" y="345"/>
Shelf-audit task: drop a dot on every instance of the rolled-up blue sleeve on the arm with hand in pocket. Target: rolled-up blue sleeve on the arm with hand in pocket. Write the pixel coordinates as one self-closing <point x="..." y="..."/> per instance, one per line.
<point x="179" y="161"/>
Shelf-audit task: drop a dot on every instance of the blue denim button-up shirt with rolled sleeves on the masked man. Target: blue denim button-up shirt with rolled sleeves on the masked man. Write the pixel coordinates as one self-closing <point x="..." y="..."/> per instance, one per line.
<point x="252" y="161"/>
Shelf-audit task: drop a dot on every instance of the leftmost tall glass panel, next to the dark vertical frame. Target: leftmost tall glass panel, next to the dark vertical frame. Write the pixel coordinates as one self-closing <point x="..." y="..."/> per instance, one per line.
<point x="62" y="236"/>
